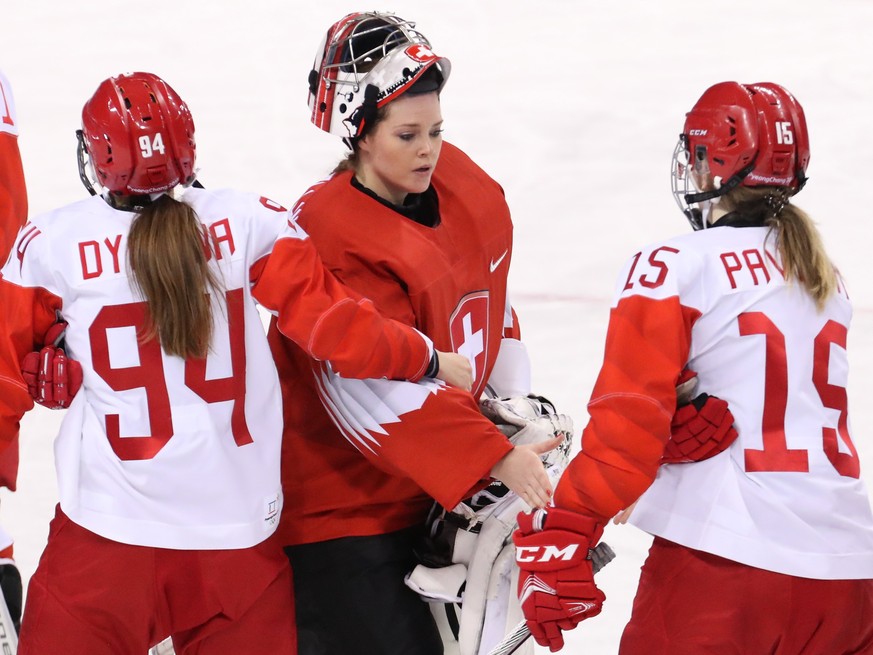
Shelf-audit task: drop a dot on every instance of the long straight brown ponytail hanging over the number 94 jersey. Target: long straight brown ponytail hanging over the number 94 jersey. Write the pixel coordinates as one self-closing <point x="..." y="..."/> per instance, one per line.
<point x="168" y="260"/>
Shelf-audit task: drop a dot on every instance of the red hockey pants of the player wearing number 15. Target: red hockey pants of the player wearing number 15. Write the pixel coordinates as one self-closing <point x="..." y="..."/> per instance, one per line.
<point x="694" y="603"/>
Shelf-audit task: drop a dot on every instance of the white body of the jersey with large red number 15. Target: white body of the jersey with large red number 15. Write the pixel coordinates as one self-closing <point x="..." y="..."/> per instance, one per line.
<point x="787" y="495"/>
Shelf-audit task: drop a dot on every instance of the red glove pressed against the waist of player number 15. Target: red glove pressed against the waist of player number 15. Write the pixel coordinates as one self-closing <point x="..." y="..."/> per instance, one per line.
<point x="701" y="427"/>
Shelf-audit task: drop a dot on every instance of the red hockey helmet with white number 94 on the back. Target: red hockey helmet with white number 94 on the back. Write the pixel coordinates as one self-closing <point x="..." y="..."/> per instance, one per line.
<point x="138" y="137"/>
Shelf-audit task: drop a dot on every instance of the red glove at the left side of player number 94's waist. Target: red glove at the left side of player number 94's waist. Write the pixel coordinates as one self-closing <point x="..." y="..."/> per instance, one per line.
<point x="52" y="379"/>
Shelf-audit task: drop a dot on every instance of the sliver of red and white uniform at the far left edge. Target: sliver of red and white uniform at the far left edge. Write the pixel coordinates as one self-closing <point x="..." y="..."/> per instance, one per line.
<point x="13" y="214"/>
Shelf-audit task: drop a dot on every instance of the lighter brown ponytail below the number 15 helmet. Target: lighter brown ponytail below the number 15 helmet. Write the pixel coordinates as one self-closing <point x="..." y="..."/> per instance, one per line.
<point x="798" y="241"/>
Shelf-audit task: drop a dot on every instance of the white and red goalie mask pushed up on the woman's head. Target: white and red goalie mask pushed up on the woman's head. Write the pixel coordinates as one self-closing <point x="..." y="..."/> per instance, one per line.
<point x="365" y="61"/>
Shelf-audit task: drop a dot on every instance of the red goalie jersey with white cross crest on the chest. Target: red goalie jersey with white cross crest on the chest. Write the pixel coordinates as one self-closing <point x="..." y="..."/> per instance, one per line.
<point x="449" y="281"/>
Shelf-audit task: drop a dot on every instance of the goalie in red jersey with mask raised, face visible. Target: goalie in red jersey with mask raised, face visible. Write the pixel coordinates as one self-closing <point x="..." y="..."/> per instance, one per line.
<point x="412" y="222"/>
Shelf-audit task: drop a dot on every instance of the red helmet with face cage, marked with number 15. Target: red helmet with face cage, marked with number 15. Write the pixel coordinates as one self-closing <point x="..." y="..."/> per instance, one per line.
<point x="738" y="135"/>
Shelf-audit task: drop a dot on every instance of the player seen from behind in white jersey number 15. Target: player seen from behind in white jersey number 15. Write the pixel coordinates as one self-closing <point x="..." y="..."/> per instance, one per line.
<point x="766" y="547"/>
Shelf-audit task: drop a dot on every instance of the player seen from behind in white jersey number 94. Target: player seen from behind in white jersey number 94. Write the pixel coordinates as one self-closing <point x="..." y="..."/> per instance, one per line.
<point x="168" y="458"/>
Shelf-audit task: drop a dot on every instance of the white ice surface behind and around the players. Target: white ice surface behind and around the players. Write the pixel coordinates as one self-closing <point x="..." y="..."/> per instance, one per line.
<point x="573" y="106"/>
